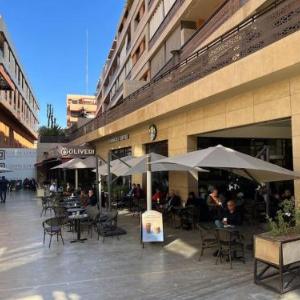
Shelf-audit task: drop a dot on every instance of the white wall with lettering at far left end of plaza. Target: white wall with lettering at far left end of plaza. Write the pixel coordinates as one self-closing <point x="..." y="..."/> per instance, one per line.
<point x="20" y="161"/>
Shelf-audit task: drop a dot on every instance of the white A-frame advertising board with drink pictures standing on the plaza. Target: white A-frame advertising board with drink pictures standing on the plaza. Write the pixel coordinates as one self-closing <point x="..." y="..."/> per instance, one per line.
<point x="152" y="227"/>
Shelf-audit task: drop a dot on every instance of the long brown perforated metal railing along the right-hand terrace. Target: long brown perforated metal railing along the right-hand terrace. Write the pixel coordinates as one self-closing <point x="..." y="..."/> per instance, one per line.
<point x="278" y="20"/>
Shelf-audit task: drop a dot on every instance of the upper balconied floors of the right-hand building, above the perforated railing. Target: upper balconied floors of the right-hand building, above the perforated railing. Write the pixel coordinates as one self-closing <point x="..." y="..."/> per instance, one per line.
<point x="147" y="37"/>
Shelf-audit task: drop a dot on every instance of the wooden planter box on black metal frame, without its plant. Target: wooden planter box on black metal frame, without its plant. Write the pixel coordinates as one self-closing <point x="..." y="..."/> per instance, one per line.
<point x="282" y="254"/>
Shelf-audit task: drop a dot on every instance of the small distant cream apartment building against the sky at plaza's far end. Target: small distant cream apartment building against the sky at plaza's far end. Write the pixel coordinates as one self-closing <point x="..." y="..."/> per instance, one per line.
<point x="80" y="108"/>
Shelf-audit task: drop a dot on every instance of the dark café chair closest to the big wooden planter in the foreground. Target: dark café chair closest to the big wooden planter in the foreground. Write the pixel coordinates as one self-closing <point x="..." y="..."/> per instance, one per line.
<point x="229" y="242"/>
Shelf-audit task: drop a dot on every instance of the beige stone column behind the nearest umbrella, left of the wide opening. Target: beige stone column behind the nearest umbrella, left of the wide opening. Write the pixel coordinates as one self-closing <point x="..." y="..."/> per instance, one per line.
<point x="182" y="182"/>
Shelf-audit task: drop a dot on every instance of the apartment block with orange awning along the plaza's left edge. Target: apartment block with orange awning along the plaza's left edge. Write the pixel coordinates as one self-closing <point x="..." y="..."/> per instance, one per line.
<point x="19" y="107"/>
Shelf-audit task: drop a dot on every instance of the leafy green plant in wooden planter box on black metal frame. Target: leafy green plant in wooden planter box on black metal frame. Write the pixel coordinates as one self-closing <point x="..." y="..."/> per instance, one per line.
<point x="279" y="249"/>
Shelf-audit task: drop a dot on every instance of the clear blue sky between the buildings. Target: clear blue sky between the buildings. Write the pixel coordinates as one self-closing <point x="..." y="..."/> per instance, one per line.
<point x="50" y="38"/>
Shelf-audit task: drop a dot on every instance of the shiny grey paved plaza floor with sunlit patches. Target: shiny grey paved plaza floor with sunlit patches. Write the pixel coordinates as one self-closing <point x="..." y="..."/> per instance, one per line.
<point x="115" y="269"/>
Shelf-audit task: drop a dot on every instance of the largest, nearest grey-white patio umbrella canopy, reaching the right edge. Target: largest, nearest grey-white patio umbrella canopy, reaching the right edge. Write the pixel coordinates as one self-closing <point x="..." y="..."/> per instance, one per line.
<point x="239" y="163"/>
